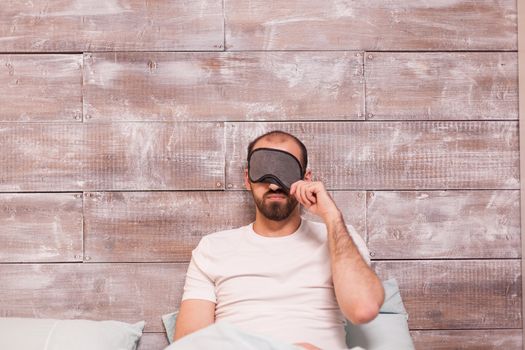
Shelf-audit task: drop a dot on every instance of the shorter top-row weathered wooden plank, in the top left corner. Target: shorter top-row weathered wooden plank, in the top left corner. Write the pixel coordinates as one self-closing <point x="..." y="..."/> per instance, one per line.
<point x="108" y="25"/>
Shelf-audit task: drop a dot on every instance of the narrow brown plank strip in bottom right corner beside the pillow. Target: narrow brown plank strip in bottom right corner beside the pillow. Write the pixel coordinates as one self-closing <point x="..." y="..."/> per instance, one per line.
<point x="487" y="339"/>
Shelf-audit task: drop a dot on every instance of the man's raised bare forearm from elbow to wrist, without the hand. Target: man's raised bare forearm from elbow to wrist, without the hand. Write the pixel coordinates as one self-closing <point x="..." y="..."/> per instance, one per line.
<point x="358" y="290"/>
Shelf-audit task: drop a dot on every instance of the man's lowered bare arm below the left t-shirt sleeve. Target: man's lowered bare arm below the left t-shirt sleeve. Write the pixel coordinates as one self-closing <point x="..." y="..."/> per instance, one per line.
<point x="194" y="314"/>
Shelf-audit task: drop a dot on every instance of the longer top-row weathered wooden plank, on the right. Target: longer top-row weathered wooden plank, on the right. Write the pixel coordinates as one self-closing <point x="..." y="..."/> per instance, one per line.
<point x="371" y="25"/>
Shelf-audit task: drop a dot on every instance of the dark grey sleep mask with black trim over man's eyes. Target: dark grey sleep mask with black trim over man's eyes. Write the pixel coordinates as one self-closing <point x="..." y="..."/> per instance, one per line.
<point x="274" y="166"/>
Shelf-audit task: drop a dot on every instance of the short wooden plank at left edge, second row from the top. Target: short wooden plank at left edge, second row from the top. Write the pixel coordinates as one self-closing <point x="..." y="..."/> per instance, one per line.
<point x="40" y="87"/>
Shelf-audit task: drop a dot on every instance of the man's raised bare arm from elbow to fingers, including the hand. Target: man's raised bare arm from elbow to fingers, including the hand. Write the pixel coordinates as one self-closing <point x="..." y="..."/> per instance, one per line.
<point x="358" y="290"/>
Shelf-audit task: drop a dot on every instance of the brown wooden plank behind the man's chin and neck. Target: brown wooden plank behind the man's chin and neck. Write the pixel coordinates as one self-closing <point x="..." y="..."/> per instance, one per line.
<point x="166" y="226"/>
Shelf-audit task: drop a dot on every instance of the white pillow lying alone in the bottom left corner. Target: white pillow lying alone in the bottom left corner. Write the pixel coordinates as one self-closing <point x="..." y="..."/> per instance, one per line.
<point x="52" y="334"/>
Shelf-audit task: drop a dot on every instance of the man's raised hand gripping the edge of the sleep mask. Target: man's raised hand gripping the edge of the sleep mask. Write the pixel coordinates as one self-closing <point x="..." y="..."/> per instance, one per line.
<point x="314" y="197"/>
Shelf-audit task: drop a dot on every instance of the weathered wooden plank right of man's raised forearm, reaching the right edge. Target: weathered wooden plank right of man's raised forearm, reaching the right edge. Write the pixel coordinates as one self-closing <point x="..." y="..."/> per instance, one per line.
<point x="444" y="224"/>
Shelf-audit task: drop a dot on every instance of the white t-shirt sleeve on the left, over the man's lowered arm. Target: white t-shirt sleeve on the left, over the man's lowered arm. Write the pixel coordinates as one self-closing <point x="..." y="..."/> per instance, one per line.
<point x="199" y="283"/>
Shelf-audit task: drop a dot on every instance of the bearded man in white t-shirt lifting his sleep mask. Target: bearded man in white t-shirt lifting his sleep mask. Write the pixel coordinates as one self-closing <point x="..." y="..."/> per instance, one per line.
<point x="283" y="276"/>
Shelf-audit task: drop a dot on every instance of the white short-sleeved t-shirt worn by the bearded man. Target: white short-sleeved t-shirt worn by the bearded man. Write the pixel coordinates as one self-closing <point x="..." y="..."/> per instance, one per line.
<point x="280" y="287"/>
